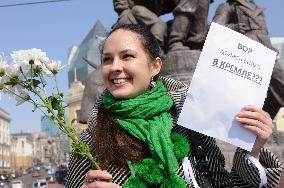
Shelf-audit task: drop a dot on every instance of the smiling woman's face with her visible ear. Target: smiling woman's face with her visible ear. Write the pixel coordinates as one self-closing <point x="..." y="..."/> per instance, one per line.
<point x="126" y="67"/>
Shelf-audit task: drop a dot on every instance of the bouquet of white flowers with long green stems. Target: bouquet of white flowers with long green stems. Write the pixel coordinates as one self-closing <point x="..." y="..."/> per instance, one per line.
<point x="25" y="79"/>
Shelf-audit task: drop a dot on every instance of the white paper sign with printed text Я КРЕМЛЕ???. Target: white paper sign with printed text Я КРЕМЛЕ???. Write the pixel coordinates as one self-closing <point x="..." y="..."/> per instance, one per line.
<point x="232" y="71"/>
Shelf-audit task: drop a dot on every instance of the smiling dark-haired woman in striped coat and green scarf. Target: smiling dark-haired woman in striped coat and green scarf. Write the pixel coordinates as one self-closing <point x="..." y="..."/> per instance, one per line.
<point x="134" y="135"/>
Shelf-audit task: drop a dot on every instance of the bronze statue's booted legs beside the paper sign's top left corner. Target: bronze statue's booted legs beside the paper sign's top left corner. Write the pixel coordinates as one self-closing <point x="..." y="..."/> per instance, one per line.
<point x="190" y="25"/>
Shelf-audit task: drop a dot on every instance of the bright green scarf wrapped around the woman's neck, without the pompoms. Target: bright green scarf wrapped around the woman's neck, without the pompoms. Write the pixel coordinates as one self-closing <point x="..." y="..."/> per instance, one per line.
<point x="147" y="118"/>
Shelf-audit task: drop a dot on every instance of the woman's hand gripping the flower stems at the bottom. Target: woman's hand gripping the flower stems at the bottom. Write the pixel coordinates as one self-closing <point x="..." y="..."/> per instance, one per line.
<point x="98" y="179"/>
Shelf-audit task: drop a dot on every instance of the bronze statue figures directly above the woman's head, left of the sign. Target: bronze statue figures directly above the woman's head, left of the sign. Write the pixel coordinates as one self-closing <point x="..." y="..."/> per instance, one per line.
<point x="190" y="20"/>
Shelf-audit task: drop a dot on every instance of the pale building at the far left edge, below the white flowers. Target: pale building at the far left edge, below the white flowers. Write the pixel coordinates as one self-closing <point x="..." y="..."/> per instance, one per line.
<point x="5" y="142"/>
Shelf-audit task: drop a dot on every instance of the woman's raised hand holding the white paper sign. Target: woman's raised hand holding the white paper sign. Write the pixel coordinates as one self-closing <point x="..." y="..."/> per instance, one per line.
<point x="259" y="122"/>
